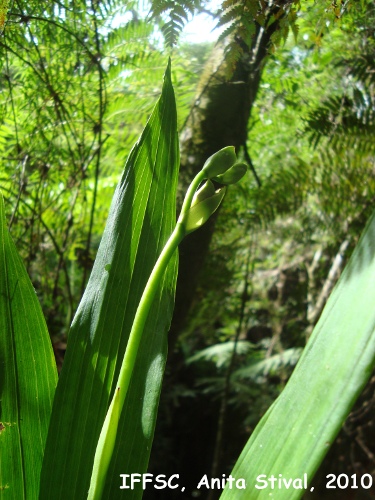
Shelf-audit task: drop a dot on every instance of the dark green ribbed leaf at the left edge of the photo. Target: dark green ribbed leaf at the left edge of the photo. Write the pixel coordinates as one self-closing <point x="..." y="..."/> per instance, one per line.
<point x="28" y="376"/>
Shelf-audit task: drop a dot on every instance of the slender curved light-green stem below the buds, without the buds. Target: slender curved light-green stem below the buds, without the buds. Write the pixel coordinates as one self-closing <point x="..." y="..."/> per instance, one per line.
<point x="106" y="443"/>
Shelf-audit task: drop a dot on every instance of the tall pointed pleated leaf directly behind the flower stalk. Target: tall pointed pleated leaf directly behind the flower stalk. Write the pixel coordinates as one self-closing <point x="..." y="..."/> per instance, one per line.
<point x="141" y="219"/>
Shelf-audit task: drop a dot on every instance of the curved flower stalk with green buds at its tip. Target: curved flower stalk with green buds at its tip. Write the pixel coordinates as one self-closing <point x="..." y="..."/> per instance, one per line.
<point x="198" y="206"/>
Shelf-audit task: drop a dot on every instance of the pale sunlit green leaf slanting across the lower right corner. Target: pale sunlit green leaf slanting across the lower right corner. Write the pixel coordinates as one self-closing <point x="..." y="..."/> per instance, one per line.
<point x="297" y="431"/>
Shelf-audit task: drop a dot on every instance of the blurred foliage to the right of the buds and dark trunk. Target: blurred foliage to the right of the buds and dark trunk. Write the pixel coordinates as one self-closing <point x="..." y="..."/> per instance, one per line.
<point x="268" y="276"/>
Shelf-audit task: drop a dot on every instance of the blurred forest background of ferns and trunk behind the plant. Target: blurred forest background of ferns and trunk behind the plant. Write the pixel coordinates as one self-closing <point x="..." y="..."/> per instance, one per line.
<point x="292" y="87"/>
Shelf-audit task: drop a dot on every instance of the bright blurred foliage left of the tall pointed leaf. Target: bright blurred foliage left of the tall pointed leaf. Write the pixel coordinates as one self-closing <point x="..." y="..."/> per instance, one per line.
<point x="75" y="94"/>
